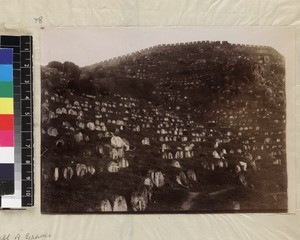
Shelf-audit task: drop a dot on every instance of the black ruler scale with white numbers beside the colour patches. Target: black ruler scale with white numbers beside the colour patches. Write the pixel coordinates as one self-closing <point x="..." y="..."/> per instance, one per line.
<point x="23" y="121"/>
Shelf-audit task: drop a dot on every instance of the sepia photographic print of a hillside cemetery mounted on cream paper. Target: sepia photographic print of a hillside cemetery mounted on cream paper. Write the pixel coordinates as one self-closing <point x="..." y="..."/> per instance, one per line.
<point x="162" y="120"/>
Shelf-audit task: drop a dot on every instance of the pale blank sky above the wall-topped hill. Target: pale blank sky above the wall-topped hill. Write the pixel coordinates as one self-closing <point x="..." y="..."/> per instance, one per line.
<point x="86" y="46"/>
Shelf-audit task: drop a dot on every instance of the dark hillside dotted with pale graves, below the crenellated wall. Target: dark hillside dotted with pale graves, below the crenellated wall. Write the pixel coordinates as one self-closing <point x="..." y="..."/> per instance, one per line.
<point x="214" y="95"/>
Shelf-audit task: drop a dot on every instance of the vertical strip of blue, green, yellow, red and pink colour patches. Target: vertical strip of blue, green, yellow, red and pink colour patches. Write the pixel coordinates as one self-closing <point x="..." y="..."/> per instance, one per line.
<point x="6" y="122"/>
